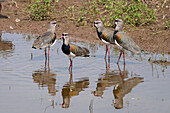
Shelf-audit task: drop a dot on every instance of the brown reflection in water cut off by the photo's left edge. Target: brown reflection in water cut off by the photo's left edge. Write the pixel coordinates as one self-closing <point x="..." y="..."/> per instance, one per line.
<point x="6" y="47"/>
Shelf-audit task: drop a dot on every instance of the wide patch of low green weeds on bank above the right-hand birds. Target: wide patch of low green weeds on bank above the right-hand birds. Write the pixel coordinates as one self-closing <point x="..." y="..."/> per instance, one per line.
<point x="133" y="12"/>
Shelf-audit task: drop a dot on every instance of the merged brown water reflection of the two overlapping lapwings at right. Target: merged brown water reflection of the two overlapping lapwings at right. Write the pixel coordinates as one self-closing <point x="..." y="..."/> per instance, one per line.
<point x="123" y="84"/>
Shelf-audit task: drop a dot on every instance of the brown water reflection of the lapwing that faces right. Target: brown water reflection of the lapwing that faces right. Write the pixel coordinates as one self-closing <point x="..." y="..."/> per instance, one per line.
<point x="45" y="78"/>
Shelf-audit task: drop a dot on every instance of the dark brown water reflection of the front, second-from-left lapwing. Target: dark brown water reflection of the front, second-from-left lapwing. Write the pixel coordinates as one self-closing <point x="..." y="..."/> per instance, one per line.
<point x="72" y="88"/>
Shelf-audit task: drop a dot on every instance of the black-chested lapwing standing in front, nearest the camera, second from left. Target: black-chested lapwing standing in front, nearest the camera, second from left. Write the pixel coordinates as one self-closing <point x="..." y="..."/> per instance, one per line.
<point x="72" y="50"/>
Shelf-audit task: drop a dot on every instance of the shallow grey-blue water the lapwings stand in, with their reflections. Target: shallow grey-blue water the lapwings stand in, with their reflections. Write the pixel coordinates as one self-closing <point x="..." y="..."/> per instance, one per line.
<point x="28" y="84"/>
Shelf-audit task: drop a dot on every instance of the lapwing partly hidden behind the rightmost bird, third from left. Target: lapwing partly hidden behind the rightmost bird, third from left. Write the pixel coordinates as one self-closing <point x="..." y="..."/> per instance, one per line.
<point x="105" y="35"/>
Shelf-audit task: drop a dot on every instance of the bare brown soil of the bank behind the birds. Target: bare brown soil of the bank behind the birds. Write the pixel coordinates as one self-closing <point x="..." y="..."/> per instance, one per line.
<point x="155" y="37"/>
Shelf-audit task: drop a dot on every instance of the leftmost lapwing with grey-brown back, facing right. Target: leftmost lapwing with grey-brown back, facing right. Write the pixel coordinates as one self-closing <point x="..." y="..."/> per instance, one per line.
<point x="47" y="39"/>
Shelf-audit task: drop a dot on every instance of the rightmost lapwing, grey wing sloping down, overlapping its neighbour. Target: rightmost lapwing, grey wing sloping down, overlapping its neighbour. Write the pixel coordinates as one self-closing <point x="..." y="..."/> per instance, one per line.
<point x="124" y="41"/>
